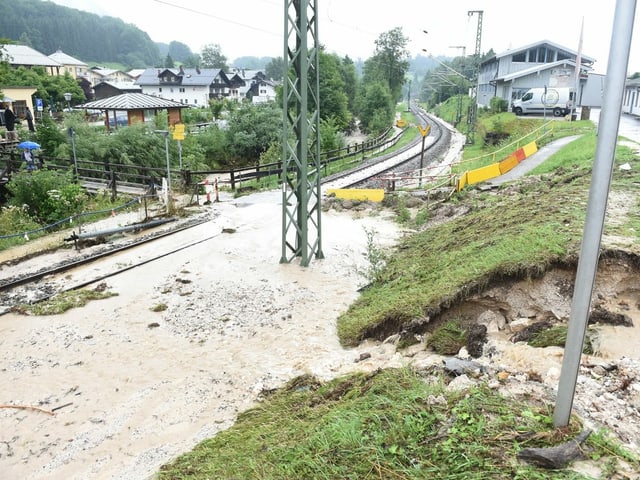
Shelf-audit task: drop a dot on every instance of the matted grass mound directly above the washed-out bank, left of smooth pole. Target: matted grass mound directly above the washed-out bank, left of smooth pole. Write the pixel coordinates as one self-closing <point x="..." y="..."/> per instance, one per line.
<point x="516" y="237"/>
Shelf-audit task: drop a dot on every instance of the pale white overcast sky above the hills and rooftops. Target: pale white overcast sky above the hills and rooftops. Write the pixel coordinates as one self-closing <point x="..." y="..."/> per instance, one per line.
<point x="350" y="27"/>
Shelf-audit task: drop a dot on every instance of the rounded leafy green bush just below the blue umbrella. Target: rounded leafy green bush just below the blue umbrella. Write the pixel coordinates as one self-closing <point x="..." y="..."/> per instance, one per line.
<point x="48" y="196"/>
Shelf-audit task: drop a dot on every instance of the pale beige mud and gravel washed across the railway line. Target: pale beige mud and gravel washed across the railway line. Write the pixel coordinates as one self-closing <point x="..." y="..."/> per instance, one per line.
<point x="127" y="383"/>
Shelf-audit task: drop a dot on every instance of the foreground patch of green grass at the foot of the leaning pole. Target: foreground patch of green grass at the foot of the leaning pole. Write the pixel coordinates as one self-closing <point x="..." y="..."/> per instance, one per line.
<point x="391" y="424"/>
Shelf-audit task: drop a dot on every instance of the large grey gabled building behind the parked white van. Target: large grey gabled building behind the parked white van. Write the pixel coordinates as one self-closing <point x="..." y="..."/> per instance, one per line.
<point x="510" y="74"/>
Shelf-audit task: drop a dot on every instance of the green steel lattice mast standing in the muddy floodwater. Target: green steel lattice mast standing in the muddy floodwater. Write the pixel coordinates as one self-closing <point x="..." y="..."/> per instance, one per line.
<point x="301" y="212"/>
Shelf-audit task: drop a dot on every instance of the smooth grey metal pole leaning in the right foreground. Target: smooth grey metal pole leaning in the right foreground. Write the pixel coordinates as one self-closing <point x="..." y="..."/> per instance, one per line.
<point x="596" y="207"/>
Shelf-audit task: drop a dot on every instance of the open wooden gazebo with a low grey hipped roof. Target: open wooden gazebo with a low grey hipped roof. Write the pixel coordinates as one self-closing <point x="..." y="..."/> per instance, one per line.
<point x="137" y="107"/>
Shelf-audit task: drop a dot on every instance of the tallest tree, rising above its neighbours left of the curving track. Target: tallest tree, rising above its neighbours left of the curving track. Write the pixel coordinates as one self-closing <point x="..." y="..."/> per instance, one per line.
<point x="390" y="62"/>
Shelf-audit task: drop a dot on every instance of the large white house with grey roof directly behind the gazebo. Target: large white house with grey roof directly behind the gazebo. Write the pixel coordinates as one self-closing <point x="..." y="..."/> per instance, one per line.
<point x="189" y="86"/>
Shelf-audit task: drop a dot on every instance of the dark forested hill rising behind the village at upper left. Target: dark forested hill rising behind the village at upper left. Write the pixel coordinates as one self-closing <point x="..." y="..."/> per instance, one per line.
<point x="48" y="27"/>
